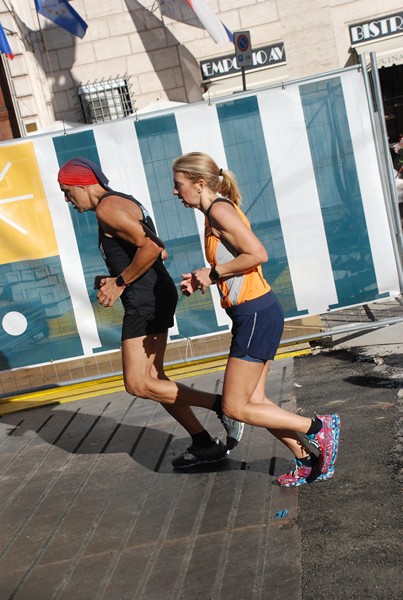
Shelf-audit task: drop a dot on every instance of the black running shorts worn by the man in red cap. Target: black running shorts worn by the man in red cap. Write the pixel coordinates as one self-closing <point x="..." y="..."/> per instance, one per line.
<point x="156" y="317"/>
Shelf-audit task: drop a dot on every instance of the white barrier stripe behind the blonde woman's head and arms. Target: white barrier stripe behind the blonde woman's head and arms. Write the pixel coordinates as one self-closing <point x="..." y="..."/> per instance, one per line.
<point x="199" y="131"/>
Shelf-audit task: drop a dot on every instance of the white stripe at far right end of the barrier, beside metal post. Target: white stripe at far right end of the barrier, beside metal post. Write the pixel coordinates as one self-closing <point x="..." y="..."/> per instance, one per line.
<point x="370" y="182"/>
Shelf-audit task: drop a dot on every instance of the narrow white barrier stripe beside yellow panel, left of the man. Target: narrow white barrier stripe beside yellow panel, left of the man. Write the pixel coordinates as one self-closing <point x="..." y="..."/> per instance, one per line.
<point x="67" y="243"/>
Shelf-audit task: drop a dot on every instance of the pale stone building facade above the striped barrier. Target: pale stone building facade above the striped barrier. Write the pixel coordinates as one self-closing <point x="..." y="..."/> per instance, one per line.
<point x="141" y="53"/>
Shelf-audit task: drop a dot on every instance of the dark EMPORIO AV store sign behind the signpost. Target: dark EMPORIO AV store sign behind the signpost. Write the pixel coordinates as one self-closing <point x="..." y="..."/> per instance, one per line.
<point x="269" y="56"/>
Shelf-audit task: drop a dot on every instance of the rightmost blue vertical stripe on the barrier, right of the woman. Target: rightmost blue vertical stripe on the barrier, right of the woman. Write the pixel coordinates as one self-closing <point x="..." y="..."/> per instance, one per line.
<point x="339" y="191"/>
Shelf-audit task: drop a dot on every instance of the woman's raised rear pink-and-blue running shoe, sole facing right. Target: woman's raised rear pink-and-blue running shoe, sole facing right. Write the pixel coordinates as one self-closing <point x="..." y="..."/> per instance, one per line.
<point x="324" y="444"/>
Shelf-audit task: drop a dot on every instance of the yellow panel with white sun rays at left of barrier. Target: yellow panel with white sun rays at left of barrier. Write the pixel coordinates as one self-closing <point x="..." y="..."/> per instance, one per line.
<point x="26" y="229"/>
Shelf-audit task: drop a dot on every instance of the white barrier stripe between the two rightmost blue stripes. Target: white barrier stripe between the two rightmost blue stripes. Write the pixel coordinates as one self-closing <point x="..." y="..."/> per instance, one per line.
<point x="297" y="199"/>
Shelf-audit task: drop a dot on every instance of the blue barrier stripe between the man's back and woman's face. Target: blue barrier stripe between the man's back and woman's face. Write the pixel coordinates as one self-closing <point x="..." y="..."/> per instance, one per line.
<point x="159" y="145"/>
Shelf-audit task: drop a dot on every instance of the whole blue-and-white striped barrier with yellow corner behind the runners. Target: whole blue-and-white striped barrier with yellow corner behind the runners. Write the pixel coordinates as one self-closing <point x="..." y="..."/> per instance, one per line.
<point x="305" y="157"/>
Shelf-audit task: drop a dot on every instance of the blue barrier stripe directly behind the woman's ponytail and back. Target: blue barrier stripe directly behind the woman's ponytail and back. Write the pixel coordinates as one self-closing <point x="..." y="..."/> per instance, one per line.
<point x="246" y="154"/>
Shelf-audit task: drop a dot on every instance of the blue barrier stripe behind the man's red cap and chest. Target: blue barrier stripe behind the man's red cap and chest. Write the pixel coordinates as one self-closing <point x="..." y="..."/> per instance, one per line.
<point x="86" y="229"/>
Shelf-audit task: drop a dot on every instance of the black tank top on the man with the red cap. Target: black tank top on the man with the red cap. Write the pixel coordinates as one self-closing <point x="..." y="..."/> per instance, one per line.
<point x="118" y="254"/>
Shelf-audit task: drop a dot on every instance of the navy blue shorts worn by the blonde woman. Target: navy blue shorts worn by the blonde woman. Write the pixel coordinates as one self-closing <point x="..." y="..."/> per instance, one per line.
<point x="257" y="327"/>
